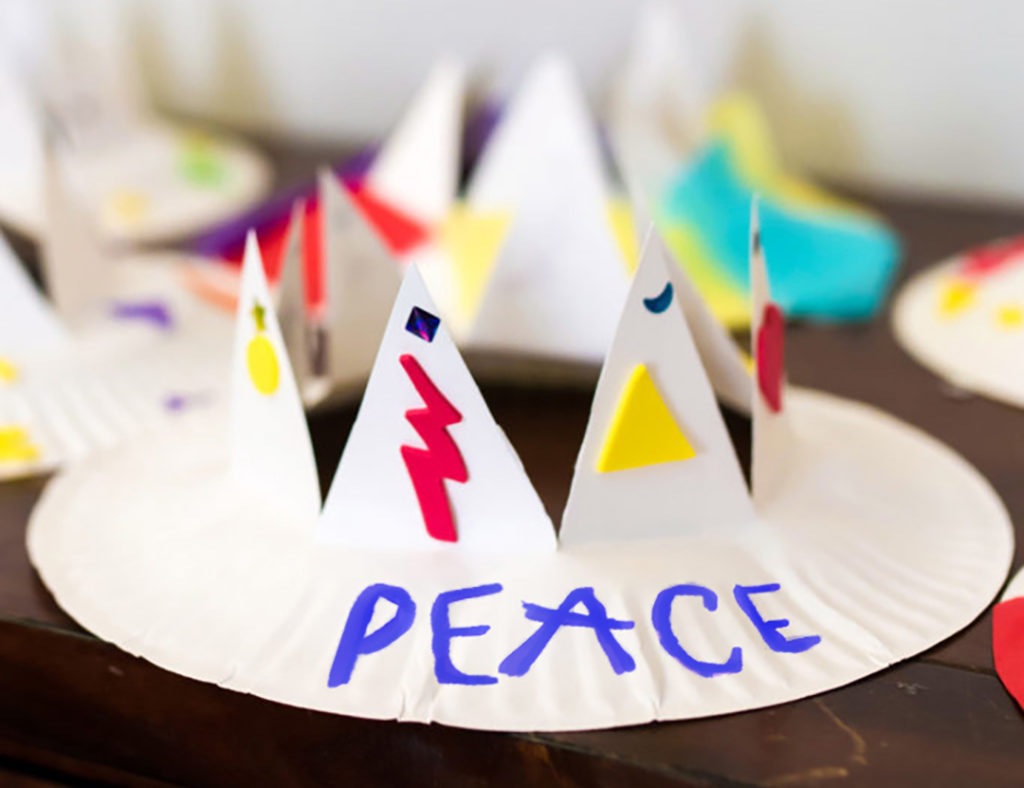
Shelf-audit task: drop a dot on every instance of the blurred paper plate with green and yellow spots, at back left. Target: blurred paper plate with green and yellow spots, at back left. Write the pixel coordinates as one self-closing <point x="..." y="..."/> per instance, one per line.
<point x="161" y="184"/>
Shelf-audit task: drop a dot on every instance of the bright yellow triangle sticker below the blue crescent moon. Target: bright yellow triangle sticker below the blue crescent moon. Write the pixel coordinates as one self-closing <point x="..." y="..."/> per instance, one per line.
<point x="644" y="431"/>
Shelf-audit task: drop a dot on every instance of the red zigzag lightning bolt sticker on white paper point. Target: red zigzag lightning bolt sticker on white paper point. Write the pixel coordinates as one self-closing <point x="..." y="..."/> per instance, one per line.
<point x="429" y="468"/>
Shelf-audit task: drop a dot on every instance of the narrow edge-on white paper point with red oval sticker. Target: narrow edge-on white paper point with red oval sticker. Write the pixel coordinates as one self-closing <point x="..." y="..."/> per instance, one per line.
<point x="770" y="428"/>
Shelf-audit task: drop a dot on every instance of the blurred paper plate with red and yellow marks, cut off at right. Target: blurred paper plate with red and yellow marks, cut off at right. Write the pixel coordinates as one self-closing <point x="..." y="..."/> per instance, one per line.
<point x="966" y="324"/>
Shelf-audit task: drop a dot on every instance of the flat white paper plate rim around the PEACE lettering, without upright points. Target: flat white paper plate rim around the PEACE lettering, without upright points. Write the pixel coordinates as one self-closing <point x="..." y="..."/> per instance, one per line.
<point x="890" y="544"/>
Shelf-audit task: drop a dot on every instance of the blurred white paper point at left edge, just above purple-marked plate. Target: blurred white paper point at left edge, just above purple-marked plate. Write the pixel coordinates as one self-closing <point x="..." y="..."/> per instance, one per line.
<point x="28" y="323"/>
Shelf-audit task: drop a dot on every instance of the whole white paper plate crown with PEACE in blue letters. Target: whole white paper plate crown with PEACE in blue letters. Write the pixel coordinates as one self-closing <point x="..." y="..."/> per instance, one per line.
<point x="432" y="586"/>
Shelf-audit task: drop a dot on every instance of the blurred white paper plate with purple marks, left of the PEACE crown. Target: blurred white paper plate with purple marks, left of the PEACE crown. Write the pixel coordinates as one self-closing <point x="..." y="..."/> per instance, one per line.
<point x="119" y="377"/>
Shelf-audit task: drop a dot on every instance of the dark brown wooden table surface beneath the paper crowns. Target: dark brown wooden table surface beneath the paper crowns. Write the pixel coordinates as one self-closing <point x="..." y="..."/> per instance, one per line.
<point x="73" y="707"/>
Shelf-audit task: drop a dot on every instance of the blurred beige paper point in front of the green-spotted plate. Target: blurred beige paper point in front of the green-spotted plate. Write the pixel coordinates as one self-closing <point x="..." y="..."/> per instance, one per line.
<point x="77" y="272"/>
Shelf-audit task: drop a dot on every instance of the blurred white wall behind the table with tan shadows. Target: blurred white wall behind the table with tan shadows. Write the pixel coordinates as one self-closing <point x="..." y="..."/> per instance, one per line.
<point x="915" y="96"/>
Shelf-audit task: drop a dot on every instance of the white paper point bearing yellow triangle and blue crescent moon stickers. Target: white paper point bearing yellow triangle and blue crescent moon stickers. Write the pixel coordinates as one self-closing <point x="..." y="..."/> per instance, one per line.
<point x="660" y="499"/>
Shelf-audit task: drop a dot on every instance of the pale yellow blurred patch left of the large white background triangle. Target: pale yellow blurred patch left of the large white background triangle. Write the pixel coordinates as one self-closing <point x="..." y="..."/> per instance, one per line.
<point x="472" y="241"/>
